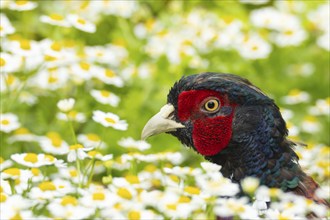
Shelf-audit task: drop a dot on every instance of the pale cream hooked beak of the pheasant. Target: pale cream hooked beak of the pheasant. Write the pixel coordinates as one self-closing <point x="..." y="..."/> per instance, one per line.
<point x="161" y="122"/>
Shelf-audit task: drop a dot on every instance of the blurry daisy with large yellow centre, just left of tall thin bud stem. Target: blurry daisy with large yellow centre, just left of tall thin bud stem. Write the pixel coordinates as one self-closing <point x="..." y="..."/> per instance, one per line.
<point x="54" y="144"/>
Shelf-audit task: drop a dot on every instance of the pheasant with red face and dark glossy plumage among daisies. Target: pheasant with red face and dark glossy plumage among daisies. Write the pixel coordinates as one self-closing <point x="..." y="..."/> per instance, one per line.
<point x="234" y="124"/>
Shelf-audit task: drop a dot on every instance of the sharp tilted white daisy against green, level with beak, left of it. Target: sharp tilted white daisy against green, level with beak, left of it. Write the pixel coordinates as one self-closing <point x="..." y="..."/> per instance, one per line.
<point x="109" y="120"/>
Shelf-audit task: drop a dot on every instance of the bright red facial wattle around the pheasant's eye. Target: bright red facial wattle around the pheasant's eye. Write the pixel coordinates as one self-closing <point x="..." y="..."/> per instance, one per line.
<point x="210" y="134"/>
